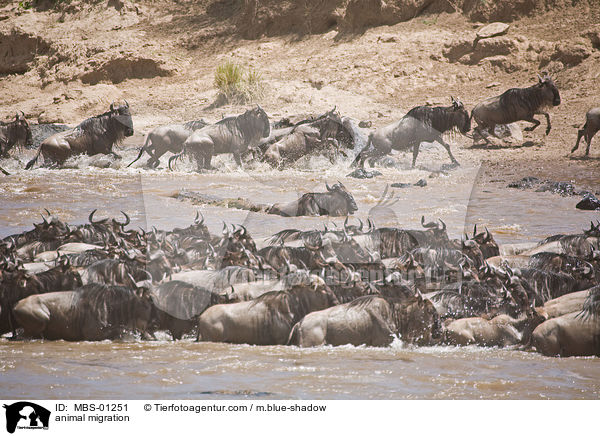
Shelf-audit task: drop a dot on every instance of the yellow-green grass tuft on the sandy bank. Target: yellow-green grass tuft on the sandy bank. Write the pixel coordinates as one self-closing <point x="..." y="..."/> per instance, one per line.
<point x="237" y="84"/>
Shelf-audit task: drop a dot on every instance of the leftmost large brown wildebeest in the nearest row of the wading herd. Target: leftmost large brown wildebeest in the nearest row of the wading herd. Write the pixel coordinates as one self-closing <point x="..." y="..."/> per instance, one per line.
<point x="92" y="313"/>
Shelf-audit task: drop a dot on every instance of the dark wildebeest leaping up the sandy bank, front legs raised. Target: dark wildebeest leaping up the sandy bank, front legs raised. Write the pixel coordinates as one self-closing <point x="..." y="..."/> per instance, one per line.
<point x="516" y="104"/>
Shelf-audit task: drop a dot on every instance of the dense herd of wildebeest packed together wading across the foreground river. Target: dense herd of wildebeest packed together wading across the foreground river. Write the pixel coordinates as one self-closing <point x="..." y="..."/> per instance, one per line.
<point x="355" y="284"/>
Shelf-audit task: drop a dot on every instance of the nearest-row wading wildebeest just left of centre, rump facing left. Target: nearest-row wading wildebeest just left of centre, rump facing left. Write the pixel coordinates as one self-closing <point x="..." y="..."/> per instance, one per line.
<point x="267" y="320"/>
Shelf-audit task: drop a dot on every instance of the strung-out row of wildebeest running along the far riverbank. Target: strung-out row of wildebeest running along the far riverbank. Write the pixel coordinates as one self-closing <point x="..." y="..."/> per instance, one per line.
<point x="283" y="143"/>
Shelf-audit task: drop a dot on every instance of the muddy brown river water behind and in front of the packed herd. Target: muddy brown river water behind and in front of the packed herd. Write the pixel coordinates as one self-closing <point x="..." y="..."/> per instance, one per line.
<point x="188" y="370"/>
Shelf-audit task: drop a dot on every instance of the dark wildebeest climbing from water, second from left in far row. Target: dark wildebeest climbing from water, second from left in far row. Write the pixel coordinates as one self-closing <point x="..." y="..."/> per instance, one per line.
<point x="95" y="135"/>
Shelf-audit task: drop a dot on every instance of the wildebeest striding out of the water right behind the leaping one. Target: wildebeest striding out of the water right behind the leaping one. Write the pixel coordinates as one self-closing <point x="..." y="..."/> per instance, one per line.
<point x="420" y="124"/>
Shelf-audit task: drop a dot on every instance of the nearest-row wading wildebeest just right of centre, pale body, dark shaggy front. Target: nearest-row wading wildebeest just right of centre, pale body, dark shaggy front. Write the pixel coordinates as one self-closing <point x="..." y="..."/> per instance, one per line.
<point x="369" y="320"/>
